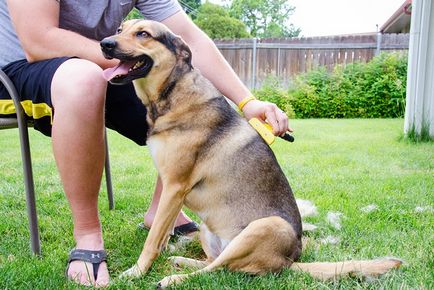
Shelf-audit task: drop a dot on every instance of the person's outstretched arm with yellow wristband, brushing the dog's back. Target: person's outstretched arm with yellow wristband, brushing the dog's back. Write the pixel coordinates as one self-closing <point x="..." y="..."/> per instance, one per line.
<point x="213" y="66"/>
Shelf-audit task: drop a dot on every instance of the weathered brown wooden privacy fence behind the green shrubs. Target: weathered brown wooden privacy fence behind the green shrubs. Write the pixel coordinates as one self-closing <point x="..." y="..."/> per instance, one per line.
<point x="255" y="59"/>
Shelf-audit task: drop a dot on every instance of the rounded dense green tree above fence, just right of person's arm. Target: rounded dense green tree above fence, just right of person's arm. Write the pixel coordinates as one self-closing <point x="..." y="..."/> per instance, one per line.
<point x="215" y="21"/>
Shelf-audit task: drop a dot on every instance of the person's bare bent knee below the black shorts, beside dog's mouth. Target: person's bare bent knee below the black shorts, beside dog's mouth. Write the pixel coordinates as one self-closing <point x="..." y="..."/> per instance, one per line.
<point x="78" y="86"/>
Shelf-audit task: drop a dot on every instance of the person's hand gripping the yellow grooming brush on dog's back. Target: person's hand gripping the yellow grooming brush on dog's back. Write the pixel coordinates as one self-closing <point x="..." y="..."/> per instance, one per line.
<point x="267" y="112"/>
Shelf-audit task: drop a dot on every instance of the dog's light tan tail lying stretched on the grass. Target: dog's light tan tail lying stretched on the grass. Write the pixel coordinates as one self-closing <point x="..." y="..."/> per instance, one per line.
<point x="329" y="270"/>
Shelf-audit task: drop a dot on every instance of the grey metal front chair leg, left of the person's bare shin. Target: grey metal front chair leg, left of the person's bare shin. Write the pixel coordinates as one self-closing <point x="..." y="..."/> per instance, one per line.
<point x="30" y="190"/>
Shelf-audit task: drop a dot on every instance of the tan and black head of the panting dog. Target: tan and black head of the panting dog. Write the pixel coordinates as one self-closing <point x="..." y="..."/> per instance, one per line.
<point x="144" y="48"/>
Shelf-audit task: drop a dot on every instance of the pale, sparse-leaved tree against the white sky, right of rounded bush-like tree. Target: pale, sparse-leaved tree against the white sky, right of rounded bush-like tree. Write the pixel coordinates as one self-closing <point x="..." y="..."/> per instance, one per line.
<point x="265" y="18"/>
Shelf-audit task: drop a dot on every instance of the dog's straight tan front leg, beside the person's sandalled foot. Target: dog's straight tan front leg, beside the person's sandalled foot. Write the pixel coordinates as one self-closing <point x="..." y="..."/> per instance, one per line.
<point x="171" y="201"/>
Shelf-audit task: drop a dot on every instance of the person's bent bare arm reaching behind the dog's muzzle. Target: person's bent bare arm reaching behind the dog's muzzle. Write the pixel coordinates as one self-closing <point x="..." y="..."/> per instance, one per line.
<point x="37" y="25"/>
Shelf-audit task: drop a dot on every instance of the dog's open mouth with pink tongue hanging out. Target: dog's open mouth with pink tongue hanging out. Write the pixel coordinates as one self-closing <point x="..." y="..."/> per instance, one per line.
<point x="128" y="70"/>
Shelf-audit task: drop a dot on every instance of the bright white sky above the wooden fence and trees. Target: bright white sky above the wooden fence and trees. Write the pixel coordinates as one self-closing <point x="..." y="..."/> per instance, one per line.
<point x="335" y="17"/>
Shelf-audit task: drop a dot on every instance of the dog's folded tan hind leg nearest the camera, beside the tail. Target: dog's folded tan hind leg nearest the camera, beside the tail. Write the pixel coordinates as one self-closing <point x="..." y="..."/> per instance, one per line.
<point x="263" y="246"/>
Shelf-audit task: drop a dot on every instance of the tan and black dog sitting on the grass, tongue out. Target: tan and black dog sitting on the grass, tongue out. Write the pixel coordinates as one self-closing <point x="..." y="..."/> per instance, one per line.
<point x="212" y="161"/>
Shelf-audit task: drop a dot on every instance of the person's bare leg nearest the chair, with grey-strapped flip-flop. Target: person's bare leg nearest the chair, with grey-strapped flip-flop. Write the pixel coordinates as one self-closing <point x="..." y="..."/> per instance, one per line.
<point x="78" y="95"/>
